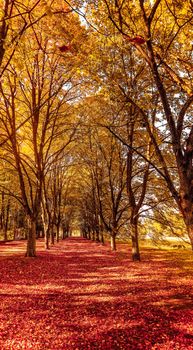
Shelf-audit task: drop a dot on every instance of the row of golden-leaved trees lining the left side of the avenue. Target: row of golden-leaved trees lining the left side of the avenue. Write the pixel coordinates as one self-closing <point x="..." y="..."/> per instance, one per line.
<point x="37" y="118"/>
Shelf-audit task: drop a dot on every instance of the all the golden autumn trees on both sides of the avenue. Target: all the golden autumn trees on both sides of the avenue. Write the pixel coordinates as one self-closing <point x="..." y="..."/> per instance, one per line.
<point x="103" y="105"/>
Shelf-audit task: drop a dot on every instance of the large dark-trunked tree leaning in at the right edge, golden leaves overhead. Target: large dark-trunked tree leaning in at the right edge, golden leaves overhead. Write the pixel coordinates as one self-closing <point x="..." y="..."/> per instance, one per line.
<point x="157" y="31"/>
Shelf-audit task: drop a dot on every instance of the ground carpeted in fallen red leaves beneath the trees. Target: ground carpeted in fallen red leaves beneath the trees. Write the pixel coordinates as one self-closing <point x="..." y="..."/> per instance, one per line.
<point x="79" y="295"/>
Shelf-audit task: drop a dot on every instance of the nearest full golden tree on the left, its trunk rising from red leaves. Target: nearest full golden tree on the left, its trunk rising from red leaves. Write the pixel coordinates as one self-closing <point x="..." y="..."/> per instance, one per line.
<point x="37" y="124"/>
